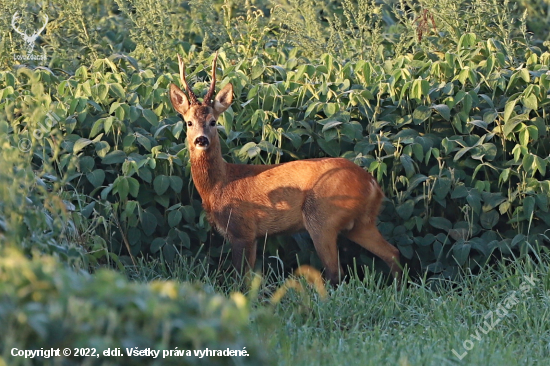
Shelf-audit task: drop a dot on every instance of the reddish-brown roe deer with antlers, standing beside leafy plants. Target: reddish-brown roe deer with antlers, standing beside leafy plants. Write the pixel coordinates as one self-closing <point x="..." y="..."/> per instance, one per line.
<point x="325" y="196"/>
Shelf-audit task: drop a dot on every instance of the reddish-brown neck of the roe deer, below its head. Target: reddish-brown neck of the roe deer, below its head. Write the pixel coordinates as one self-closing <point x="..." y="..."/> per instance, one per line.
<point x="209" y="171"/>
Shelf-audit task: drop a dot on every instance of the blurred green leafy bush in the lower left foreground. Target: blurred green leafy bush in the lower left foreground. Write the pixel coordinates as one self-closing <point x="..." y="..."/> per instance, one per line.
<point x="44" y="305"/>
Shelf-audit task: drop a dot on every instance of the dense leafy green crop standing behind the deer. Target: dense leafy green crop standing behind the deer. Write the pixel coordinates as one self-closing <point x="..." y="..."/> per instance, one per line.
<point x="449" y="116"/>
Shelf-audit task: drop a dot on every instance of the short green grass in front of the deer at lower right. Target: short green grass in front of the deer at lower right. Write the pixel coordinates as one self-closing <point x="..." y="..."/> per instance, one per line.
<point x="367" y="322"/>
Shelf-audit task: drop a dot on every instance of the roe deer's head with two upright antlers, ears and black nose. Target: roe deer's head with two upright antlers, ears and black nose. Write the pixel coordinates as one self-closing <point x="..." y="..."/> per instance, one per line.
<point x="200" y="118"/>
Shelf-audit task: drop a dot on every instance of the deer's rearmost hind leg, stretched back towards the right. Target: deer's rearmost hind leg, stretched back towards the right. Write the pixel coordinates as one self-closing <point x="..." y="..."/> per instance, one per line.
<point x="368" y="236"/>
